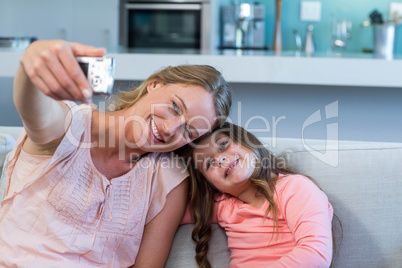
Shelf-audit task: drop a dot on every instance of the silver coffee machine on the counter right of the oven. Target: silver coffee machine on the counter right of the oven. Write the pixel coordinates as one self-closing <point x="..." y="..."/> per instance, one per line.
<point x="243" y="26"/>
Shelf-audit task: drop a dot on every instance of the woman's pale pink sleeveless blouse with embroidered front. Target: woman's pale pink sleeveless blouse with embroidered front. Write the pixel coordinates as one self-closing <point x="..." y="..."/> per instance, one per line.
<point x="59" y="211"/>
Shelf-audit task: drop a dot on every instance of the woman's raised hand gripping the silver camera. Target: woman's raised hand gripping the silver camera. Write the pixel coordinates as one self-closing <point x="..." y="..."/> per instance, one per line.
<point x="51" y="66"/>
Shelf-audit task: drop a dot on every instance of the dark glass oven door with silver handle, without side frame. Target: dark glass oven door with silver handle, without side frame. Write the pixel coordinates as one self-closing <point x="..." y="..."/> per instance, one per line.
<point x="162" y="25"/>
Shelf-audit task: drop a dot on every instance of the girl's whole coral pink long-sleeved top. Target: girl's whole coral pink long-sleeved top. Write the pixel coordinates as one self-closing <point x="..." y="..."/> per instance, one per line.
<point x="304" y="238"/>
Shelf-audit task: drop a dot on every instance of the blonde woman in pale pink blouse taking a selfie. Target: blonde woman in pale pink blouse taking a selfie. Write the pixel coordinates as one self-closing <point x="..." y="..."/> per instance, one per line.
<point x="82" y="190"/>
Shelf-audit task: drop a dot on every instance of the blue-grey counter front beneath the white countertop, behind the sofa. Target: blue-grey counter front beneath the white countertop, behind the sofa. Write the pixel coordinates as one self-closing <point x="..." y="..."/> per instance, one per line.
<point x="272" y="110"/>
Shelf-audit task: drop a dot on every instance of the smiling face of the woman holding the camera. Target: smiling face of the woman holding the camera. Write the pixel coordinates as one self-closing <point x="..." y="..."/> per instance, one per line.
<point x="171" y="116"/>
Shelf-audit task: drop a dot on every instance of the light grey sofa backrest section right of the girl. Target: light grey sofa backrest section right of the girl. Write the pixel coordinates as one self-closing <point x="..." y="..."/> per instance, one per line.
<point x="363" y="181"/>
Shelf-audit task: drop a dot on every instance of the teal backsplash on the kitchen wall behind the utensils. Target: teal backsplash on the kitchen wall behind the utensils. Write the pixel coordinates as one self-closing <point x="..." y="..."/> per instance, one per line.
<point x="356" y="11"/>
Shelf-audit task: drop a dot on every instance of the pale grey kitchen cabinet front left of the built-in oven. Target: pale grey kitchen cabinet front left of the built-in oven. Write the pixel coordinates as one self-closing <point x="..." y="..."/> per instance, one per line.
<point x="93" y="22"/>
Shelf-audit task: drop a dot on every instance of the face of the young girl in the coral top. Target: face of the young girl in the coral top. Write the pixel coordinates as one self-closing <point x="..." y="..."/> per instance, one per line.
<point x="225" y="164"/>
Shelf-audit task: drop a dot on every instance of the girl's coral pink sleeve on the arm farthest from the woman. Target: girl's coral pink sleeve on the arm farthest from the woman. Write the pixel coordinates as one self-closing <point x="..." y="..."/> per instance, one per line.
<point x="308" y="214"/>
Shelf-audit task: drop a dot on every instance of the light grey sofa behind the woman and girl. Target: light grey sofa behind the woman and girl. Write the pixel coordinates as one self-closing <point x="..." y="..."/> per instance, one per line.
<point x="363" y="181"/>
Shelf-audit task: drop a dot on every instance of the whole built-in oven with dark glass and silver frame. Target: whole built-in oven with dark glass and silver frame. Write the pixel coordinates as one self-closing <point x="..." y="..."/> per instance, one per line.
<point x="178" y="24"/>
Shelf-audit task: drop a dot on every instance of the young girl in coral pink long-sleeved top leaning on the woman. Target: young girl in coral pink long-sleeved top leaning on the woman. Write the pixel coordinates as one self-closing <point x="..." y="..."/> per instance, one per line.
<point x="272" y="216"/>
